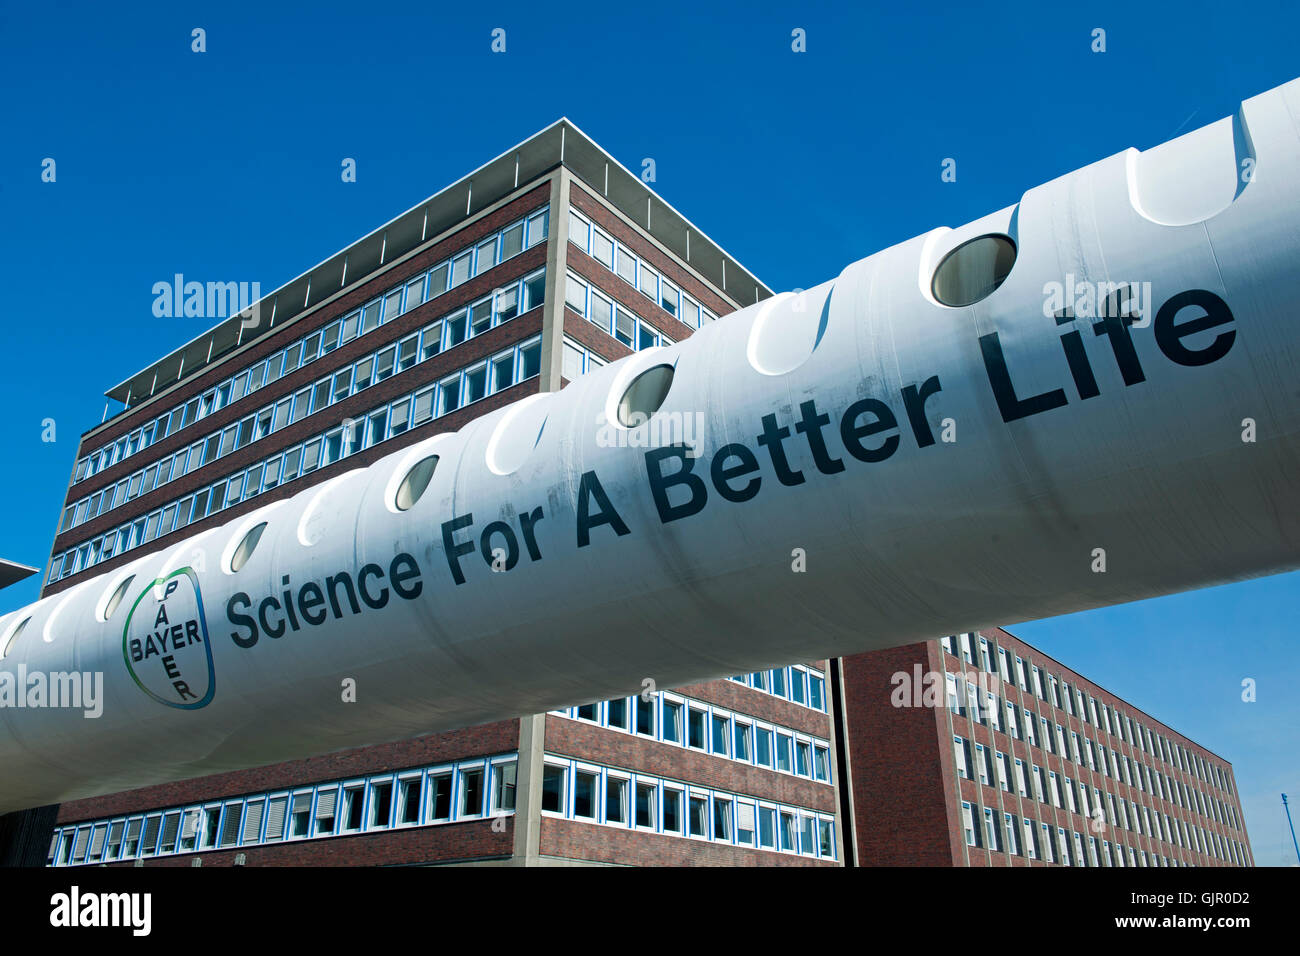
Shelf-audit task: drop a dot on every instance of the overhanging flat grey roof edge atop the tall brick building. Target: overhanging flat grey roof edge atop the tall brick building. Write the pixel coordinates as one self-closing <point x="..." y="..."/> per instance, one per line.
<point x="561" y="144"/>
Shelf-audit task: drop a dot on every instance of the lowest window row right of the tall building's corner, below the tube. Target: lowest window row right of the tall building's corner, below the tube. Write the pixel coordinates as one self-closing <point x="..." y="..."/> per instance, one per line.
<point x="582" y="791"/>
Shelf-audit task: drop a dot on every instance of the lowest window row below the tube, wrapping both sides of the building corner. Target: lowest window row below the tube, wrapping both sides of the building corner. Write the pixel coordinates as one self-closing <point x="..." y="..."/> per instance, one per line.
<point x="448" y="794"/>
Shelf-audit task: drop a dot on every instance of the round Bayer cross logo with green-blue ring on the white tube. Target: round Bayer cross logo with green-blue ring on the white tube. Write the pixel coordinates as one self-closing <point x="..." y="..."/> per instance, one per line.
<point x="166" y="643"/>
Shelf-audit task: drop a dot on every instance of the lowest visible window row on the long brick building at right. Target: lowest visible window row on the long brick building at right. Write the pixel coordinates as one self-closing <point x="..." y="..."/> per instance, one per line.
<point x="1035" y="841"/>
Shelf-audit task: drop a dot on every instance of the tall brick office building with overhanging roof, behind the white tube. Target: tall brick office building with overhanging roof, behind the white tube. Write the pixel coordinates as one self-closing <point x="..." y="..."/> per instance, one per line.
<point x="545" y="263"/>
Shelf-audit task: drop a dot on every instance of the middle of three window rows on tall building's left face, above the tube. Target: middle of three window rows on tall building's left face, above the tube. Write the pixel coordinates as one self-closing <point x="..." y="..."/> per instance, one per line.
<point x="450" y="331"/>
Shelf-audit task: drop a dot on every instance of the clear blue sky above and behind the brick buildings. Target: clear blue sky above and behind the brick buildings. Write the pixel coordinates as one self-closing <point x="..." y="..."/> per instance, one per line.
<point x="226" y="166"/>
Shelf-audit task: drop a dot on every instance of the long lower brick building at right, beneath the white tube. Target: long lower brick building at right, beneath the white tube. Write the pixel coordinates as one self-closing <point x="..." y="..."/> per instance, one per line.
<point x="981" y="751"/>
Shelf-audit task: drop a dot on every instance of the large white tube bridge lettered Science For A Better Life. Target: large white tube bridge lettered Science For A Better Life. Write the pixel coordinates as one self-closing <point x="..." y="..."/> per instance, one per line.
<point x="935" y="469"/>
